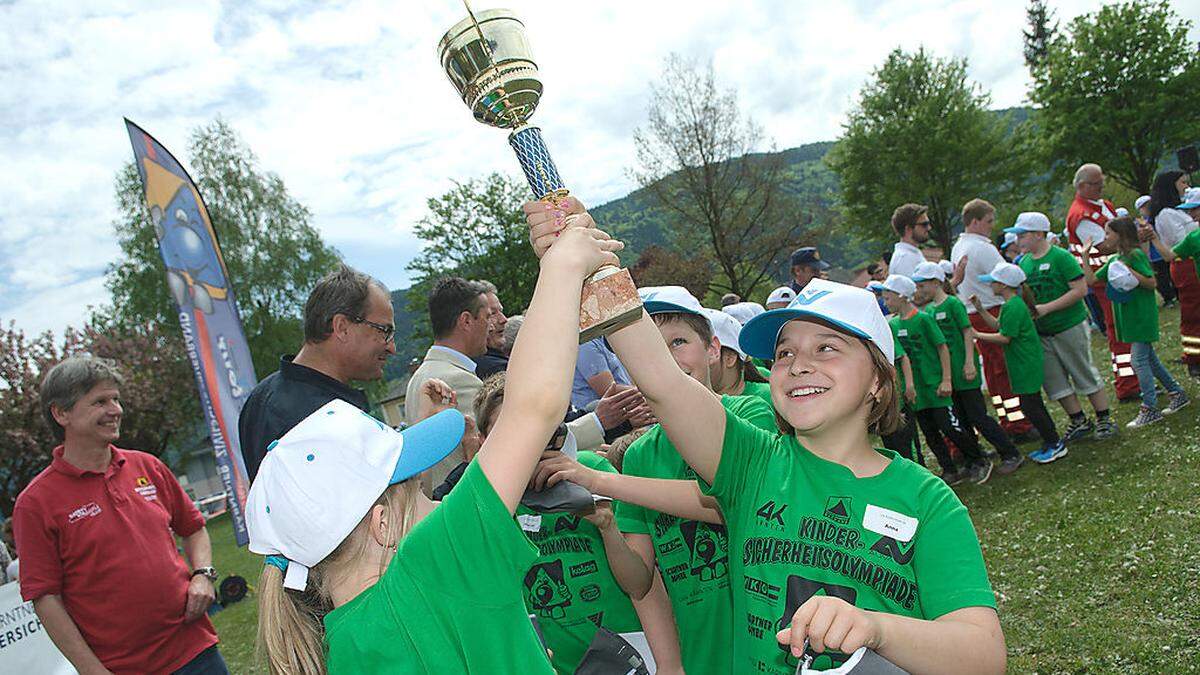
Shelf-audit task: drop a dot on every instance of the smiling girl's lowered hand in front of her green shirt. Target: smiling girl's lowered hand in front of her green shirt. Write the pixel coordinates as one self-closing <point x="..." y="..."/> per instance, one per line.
<point x="831" y="624"/>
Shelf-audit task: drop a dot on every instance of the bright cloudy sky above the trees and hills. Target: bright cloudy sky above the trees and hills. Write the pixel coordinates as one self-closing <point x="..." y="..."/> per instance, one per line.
<point x="347" y="103"/>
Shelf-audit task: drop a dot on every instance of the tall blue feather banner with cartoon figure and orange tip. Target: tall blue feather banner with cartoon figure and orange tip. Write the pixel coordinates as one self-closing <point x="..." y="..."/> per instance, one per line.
<point x="208" y="313"/>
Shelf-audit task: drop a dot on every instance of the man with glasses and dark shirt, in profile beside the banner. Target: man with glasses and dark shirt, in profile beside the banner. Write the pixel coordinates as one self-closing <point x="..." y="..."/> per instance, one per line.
<point x="349" y="336"/>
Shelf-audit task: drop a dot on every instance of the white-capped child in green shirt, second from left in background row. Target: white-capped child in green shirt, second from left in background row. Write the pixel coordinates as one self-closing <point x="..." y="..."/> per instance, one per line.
<point x="970" y="408"/>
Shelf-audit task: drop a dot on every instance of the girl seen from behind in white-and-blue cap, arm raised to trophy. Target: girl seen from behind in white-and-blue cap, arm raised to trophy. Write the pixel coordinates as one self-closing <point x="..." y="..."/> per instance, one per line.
<point x="365" y="574"/>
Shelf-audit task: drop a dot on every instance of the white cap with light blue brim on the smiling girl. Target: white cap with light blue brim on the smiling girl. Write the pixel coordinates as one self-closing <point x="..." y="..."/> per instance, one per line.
<point x="849" y="309"/>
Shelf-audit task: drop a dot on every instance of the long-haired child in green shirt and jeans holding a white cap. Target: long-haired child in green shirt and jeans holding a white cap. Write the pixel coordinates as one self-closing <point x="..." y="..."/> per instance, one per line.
<point x="1131" y="286"/>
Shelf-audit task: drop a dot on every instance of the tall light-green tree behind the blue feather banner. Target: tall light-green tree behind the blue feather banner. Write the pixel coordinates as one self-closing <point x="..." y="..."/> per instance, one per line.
<point x="273" y="253"/>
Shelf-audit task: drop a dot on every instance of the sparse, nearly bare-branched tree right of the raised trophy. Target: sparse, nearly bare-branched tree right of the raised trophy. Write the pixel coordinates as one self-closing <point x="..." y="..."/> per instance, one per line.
<point x="697" y="157"/>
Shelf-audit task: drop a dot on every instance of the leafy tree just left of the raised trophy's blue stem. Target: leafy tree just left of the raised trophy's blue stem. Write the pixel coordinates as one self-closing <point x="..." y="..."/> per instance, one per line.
<point x="476" y="231"/>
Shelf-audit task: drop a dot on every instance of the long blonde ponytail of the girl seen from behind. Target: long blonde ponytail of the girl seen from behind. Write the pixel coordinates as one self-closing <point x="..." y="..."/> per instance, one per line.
<point x="291" y="636"/>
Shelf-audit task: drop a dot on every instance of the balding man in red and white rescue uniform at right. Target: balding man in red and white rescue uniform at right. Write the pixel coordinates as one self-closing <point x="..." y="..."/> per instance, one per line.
<point x="1085" y="222"/>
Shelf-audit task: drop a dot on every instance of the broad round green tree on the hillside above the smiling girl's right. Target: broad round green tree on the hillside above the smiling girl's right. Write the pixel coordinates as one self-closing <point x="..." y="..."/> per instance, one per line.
<point x="922" y="133"/>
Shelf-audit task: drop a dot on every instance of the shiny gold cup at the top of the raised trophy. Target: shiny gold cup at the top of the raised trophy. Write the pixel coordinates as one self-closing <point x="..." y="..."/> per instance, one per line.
<point x="490" y="64"/>
